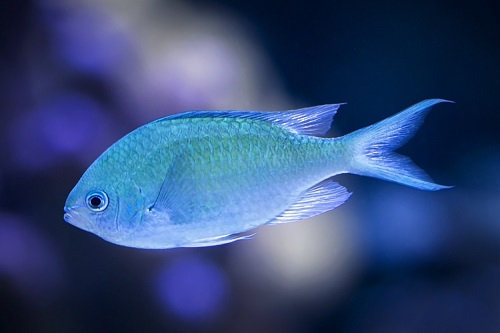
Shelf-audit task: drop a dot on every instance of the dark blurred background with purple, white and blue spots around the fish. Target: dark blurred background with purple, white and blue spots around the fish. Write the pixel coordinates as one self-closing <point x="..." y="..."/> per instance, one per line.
<point x="77" y="75"/>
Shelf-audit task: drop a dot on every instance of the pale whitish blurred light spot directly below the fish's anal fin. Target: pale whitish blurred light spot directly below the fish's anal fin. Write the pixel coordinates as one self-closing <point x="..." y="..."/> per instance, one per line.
<point x="307" y="261"/>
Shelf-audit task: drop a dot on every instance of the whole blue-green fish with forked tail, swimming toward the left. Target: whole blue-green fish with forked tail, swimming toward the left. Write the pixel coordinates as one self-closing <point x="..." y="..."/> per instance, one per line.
<point x="205" y="178"/>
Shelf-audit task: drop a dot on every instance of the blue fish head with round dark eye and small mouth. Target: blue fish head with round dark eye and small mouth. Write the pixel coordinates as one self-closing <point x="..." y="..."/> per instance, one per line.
<point x="105" y="204"/>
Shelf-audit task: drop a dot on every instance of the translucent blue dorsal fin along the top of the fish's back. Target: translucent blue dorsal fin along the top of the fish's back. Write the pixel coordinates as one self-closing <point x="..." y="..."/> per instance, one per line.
<point x="314" y="121"/>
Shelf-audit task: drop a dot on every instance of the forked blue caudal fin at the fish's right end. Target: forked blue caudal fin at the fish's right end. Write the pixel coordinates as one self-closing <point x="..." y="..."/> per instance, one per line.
<point x="374" y="146"/>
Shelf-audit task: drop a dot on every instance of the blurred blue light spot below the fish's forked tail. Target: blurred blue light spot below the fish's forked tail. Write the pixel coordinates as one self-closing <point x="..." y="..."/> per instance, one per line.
<point x="404" y="226"/>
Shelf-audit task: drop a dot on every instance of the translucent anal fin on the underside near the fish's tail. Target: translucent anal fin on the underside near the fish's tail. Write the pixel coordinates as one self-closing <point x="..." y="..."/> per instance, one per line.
<point x="320" y="198"/>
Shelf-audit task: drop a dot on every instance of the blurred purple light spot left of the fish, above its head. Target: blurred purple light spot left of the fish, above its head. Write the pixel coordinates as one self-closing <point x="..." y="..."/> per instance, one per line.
<point x="59" y="128"/>
